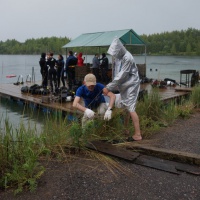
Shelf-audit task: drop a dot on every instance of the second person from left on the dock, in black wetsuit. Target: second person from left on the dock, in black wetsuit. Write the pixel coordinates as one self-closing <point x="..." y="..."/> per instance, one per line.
<point x="52" y="72"/>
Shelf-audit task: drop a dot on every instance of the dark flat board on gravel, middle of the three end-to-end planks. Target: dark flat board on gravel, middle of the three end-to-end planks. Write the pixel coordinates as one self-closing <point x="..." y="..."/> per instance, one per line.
<point x="149" y="161"/>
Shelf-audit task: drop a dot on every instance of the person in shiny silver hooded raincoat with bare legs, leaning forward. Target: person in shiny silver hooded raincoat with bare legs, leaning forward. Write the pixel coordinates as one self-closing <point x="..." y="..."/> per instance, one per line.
<point x="127" y="82"/>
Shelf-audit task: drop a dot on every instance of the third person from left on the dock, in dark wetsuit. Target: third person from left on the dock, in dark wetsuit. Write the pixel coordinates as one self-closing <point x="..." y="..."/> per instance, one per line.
<point x="60" y="70"/>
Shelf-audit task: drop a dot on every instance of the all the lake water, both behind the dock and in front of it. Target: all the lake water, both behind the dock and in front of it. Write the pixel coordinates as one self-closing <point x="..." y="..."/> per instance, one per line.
<point x="158" y="67"/>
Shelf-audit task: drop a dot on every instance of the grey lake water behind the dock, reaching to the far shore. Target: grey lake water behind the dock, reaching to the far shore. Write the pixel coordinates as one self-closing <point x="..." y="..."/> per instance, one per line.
<point x="162" y="66"/>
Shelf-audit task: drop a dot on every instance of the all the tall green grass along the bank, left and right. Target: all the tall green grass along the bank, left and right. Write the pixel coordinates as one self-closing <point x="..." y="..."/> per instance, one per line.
<point x="22" y="148"/>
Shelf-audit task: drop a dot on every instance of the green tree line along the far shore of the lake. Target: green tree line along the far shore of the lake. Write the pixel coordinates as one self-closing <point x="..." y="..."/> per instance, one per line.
<point x="184" y="42"/>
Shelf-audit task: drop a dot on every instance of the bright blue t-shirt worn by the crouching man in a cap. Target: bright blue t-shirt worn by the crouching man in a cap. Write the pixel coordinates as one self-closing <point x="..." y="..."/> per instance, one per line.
<point x="92" y="99"/>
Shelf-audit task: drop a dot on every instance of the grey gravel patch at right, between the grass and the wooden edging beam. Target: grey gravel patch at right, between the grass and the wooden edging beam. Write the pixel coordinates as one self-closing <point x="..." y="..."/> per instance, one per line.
<point x="184" y="136"/>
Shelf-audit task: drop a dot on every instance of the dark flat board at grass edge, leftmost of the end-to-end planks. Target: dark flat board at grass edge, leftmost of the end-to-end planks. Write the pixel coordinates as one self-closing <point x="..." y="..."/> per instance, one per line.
<point x="113" y="150"/>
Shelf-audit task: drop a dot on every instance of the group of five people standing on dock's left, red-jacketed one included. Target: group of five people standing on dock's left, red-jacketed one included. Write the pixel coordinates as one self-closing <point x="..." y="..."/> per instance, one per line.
<point x="55" y="71"/>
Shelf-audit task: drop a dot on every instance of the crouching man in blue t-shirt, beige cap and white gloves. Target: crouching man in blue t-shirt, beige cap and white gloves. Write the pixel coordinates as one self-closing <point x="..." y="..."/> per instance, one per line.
<point x="93" y="96"/>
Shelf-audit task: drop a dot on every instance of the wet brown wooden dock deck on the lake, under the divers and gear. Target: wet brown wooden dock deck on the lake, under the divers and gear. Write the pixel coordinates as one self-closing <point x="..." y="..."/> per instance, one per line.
<point x="14" y="92"/>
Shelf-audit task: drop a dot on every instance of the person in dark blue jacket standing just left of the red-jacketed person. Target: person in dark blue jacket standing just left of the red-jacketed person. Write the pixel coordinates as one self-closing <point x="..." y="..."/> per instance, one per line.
<point x="71" y="62"/>
